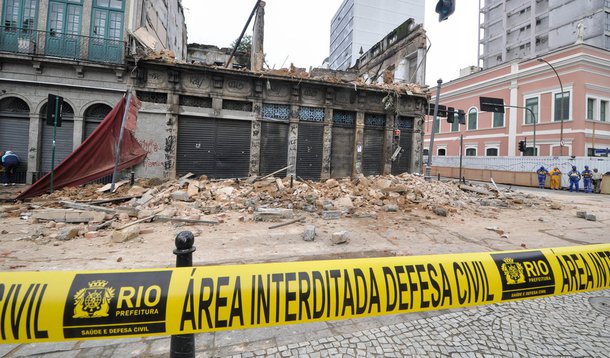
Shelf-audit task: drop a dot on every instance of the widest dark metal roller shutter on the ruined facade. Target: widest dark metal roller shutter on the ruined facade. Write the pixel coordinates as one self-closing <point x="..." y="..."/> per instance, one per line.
<point x="213" y="147"/>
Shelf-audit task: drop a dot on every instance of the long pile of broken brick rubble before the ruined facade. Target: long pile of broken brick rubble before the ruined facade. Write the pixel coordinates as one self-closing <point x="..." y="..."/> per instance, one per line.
<point x="202" y="201"/>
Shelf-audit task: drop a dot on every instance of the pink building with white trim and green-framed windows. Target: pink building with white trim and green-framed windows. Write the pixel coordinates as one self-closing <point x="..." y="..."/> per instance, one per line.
<point x="584" y="73"/>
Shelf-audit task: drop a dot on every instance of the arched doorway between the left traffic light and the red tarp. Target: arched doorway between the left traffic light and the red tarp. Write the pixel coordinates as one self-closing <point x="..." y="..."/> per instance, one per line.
<point x="64" y="138"/>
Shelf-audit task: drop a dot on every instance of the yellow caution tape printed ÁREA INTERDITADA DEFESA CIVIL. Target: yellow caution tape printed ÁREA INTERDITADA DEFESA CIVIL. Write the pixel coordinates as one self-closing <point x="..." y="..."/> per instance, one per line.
<point x="57" y="306"/>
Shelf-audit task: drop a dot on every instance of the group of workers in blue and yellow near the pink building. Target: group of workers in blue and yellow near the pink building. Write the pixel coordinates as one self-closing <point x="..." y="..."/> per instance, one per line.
<point x="592" y="179"/>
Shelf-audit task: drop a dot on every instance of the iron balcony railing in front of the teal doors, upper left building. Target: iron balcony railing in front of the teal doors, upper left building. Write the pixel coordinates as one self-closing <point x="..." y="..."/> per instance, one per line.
<point x="62" y="45"/>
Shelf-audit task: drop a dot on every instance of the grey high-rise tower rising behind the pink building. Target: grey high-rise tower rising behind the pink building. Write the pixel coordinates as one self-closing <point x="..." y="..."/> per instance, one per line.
<point x="522" y="29"/>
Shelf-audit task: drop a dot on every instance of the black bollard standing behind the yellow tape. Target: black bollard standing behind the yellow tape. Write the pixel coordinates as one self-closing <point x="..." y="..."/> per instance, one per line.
<point x="183" y="345"/>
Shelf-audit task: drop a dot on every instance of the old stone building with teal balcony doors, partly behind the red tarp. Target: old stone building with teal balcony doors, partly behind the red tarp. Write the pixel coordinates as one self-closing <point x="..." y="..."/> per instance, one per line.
<point x="80" y="50"/>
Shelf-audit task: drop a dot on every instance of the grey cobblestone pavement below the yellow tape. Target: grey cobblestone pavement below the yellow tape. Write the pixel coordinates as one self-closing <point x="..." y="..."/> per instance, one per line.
<point x="562" y="326"/>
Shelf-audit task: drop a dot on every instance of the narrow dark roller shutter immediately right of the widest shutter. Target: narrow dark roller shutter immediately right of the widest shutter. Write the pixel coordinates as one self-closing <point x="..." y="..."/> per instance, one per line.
<point x="274" y="148"/>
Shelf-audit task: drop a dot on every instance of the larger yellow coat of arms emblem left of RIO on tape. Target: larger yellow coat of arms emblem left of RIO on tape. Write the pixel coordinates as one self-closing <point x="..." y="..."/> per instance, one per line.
<point x="93" y="301"/>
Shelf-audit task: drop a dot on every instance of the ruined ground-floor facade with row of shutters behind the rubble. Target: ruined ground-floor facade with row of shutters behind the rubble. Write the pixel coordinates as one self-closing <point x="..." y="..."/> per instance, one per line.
<point x="227" y="123"/>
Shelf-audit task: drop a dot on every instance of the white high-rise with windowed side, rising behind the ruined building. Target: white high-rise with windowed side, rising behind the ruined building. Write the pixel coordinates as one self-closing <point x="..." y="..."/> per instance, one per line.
<point x="360" y="24"/>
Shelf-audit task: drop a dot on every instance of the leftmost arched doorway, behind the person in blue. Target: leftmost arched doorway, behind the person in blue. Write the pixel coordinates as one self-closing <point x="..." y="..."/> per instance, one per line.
<point x="15" y="130"/>
